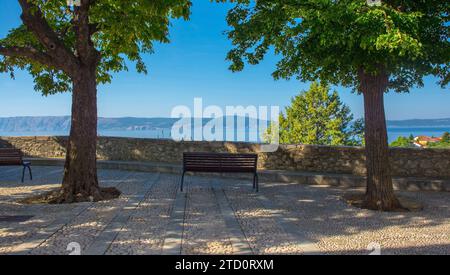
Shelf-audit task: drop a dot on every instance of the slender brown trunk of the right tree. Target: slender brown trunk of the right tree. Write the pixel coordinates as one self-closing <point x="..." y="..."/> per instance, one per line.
<point x="380" y="192"/>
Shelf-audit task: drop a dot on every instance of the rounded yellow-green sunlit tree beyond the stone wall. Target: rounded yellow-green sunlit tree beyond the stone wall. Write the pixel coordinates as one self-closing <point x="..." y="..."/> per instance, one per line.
<point x="317" y="116"/>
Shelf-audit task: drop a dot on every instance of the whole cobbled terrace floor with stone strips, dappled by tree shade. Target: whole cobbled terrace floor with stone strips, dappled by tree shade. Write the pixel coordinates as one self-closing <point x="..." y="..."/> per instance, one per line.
<point x="214" y="216"/>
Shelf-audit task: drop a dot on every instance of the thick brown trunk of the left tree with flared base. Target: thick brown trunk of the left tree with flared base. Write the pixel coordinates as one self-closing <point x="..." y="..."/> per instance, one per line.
<point x="80" y="182"/>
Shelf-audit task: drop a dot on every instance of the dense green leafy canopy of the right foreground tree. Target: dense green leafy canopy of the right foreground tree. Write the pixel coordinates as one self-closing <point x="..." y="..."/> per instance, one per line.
<point x="332" y="40"/>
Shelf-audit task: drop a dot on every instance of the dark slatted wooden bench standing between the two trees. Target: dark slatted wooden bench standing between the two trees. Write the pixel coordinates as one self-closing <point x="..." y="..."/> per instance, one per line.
<point x="221" y="163"/>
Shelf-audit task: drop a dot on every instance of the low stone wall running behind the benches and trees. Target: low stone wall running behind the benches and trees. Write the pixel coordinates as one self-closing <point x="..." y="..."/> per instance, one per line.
<point x="405" y="162"/>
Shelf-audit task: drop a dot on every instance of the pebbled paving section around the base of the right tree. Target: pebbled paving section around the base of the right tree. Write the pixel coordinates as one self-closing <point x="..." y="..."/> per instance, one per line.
<point x="340" y="229"/>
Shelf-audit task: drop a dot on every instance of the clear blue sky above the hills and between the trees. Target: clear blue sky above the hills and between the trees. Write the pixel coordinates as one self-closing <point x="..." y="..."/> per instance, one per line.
<point x="193" y="65"/>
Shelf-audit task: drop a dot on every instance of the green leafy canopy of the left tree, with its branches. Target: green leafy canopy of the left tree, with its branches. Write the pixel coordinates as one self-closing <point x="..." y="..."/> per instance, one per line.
<point x="120" y="31"/>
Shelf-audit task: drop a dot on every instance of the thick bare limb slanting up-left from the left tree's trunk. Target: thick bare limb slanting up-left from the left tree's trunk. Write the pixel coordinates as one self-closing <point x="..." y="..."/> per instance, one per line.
<point x="34" y="20"/>
